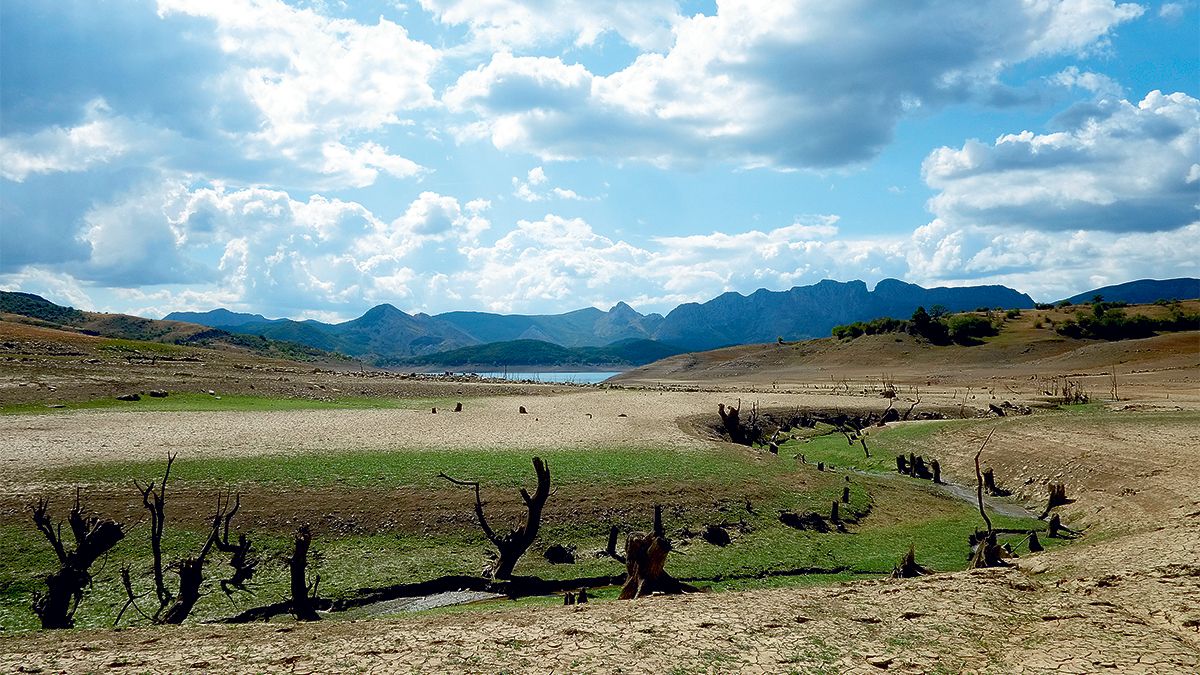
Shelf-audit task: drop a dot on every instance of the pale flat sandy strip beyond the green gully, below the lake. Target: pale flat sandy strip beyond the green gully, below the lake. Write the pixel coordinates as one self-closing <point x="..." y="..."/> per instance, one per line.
<point x="581" y="420"/>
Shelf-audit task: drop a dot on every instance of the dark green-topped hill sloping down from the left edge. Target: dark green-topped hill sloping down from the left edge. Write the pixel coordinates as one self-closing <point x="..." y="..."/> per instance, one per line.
<point x="40" y="312"/>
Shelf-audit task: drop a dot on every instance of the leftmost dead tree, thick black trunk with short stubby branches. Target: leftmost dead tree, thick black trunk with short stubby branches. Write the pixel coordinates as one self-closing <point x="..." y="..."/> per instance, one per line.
<point x="94" y="537"/>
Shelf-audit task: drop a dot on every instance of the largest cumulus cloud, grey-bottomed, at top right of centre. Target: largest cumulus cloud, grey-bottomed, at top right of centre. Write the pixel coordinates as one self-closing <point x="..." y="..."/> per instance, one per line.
<point x="797" y="85"/>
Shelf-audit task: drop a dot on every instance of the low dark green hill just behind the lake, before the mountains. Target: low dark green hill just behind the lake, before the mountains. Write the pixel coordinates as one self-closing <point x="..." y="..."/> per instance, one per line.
<point x="539" y="354"/>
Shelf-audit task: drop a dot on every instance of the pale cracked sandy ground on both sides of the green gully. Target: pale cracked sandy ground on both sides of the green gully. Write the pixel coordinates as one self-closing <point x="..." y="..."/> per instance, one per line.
<point x="1125" y="600"/>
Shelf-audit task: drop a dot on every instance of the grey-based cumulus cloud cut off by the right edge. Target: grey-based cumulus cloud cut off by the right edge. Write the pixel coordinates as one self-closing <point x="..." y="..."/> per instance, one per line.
<point x="1121" y="168"/>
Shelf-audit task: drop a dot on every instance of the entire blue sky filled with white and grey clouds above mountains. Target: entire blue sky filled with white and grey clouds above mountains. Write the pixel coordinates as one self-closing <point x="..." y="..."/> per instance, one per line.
<point x="314" y="159"/>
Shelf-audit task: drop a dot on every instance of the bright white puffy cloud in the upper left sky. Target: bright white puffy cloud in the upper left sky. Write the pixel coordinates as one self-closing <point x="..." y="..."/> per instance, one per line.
<point x="316" y="82"/>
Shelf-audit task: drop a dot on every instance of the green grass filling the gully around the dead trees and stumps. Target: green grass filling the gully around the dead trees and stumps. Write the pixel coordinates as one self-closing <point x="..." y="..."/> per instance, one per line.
<point x="897" y="512"/>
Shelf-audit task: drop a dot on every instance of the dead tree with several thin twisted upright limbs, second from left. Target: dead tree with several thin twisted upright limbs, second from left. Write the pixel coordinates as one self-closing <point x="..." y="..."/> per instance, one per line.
<point x="176" y="607"/>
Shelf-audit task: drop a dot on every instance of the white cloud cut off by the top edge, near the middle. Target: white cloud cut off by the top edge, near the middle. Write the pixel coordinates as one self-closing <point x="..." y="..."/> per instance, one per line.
<point x="499" y="25"/>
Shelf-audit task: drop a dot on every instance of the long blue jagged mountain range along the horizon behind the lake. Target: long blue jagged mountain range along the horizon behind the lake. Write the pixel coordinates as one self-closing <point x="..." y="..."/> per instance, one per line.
<point x="386" y="334"/>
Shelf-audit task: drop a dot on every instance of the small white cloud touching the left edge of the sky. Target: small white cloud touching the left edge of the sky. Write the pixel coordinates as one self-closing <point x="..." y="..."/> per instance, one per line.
<point x="101" y="138"/>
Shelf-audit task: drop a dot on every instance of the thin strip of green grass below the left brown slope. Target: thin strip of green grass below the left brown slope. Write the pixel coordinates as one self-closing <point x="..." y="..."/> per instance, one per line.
<point x="194" y="402"/>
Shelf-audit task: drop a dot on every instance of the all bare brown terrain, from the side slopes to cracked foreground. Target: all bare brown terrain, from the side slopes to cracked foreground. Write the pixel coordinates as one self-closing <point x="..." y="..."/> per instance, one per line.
<point x="1125" y="599"/>
